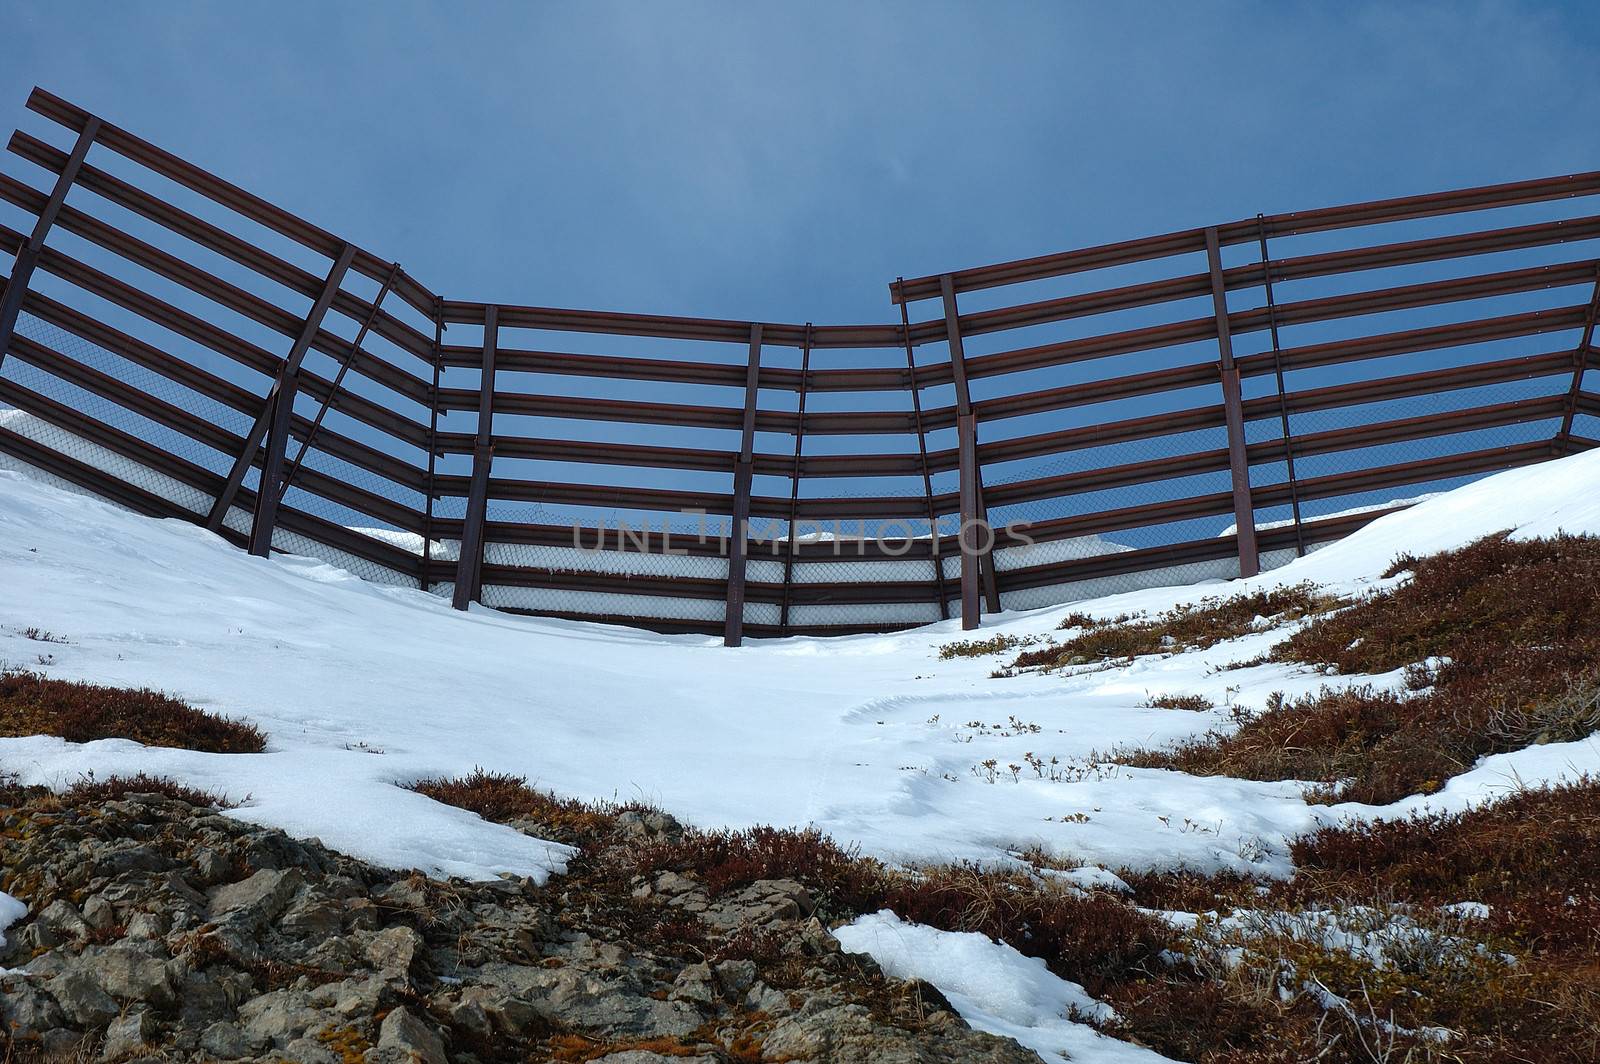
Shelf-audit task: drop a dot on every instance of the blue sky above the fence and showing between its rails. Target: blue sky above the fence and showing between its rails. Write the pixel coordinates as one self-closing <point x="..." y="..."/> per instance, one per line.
<point x="786" y="162"/>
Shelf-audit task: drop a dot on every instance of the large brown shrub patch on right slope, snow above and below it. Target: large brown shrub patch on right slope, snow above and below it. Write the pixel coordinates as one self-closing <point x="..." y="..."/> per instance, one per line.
<point x="1519" y="630"/>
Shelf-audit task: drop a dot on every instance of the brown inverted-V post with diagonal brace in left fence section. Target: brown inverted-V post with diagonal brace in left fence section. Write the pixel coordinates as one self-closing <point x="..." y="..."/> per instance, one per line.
<point x="273" y="425"/>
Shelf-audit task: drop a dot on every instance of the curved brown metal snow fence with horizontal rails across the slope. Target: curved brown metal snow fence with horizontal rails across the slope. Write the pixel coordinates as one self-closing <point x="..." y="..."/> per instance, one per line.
<point x="1196" y="406"/>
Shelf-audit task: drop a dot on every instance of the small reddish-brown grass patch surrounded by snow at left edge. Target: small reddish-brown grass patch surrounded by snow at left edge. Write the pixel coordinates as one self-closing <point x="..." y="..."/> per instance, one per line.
<point x="81" y="713"/>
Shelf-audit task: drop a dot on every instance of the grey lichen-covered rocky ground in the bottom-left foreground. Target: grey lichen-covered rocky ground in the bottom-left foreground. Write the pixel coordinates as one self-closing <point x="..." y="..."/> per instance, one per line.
<point x="161" y="930"/>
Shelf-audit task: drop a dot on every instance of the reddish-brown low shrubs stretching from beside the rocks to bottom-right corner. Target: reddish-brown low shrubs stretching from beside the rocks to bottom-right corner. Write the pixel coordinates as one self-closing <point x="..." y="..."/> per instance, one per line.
<point x="1364" y="956"/>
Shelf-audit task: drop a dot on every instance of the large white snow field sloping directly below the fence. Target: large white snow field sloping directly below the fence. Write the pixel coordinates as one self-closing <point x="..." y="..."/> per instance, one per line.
<point x="870" y="738"/>
